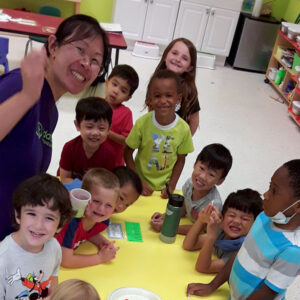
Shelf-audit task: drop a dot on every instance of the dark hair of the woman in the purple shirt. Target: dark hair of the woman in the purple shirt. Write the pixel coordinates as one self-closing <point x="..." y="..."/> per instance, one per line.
<point x="80" y="27"/>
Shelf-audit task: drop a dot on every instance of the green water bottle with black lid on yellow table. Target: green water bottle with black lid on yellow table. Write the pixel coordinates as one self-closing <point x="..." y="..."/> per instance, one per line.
<point x="172" y="218"/>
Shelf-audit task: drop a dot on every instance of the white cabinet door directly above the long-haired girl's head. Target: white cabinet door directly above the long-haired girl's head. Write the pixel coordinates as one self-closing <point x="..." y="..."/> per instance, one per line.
<point x="191" y="22"/>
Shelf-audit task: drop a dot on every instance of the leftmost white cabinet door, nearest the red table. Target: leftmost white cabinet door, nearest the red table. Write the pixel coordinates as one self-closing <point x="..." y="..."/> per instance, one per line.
<point x="131" y="15"/>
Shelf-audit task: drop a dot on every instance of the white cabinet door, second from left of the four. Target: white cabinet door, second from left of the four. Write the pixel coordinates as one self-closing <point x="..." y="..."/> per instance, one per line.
<point x="160" y="21"/>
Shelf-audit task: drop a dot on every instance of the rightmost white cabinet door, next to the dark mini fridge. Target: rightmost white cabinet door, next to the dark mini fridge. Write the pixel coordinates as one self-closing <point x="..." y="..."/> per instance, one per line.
<point x="219" y="31"/>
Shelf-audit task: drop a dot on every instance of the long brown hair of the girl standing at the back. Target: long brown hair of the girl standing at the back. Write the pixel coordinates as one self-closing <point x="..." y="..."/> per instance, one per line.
<point x="189" y="89"/>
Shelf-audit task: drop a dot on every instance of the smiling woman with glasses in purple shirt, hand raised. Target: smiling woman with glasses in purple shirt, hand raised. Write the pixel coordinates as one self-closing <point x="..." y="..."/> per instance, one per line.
<point x="70" y="61"/>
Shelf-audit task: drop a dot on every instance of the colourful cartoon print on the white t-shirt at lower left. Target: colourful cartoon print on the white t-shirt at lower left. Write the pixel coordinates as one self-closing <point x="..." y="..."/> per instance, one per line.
<point x="34" y="287"/>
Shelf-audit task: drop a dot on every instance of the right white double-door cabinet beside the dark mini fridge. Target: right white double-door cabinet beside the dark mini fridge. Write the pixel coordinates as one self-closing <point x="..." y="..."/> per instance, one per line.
<point x="209" y="24"/>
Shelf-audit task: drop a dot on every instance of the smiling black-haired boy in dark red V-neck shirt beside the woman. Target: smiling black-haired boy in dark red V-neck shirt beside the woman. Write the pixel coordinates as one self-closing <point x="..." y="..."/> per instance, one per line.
<point x="88" y="150"/>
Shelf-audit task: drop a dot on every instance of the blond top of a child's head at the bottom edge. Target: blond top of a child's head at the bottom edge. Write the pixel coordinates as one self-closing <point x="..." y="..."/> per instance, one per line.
<point x="74" y="289"/>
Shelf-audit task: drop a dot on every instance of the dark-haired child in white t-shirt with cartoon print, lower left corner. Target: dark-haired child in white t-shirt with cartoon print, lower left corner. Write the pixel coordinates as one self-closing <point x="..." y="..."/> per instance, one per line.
<point x="30" y="257"/>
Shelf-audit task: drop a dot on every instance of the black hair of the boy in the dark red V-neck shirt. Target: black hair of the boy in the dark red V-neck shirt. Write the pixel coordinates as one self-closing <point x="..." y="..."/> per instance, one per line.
<point x="93" y="108"/>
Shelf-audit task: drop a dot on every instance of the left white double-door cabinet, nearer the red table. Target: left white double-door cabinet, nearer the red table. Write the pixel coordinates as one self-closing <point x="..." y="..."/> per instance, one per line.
<point x="148" y="20"/>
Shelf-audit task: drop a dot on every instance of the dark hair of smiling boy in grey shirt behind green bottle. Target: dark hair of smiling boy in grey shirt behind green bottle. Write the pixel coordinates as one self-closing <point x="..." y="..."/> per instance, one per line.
<point x="217" y="157"/>
